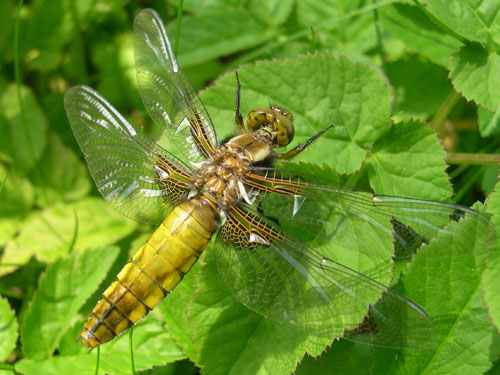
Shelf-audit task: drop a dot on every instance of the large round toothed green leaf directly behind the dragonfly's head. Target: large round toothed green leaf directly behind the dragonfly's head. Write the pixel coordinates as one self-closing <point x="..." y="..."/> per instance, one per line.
<point x="319" y="90"/>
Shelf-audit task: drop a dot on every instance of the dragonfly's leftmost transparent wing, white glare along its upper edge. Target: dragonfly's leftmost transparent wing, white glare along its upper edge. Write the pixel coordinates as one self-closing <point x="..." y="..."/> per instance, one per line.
<point x="137" y="177"/>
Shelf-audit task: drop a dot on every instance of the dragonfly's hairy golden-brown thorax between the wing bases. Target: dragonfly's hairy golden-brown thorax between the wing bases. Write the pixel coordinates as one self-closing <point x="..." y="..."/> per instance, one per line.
<point x="221" y="177"/>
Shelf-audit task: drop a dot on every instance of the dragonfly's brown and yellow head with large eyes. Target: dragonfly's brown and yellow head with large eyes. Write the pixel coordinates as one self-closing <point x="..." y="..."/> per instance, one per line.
<point x="280" y="120"/>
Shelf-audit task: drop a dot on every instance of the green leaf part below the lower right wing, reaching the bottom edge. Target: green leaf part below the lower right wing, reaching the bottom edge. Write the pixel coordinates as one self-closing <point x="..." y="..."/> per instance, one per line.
<point x="232" y="339"/>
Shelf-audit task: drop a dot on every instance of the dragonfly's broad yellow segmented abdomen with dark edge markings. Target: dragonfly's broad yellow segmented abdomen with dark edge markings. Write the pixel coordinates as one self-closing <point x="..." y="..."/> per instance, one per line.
<point x="153" y="271"/>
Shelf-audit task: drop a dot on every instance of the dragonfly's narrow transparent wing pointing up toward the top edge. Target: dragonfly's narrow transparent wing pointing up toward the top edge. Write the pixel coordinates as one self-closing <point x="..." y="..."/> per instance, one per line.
<point x="166" y="92"/>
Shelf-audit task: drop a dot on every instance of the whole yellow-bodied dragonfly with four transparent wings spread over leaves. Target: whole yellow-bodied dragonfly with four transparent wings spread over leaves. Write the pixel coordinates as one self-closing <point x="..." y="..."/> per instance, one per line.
<point x="275" y="231"/>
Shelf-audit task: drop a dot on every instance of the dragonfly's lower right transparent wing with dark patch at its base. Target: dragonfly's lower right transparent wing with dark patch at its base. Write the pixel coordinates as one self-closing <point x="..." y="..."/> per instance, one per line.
<point x="273" y="273"/>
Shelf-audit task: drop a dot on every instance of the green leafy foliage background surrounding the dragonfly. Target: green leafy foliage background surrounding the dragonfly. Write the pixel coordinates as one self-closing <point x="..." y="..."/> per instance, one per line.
<point x="411" y="87"/>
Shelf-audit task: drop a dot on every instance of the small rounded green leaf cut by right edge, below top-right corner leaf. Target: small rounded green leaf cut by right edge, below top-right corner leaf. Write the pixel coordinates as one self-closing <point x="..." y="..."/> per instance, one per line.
<point x="475" y="73"/>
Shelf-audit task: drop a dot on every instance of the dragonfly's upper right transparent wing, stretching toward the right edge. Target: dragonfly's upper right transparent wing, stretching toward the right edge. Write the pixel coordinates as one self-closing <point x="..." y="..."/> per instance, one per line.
<point x="320" y="210"/>
